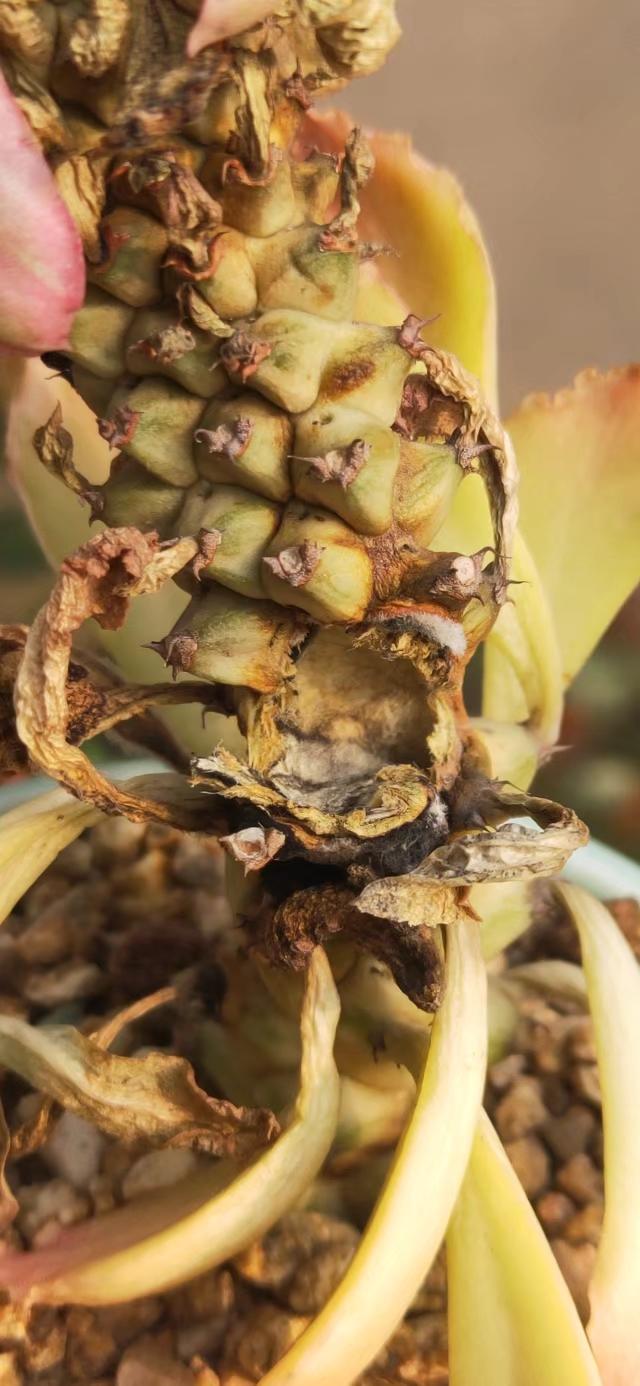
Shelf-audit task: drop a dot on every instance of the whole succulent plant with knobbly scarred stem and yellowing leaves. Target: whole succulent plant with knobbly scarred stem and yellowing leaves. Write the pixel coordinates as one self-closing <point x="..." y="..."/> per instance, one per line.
<point x="332" y="495"/>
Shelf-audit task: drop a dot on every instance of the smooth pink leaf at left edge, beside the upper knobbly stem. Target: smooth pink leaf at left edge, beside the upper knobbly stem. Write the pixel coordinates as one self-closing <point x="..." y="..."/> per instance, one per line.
<point x="42" y="268"/>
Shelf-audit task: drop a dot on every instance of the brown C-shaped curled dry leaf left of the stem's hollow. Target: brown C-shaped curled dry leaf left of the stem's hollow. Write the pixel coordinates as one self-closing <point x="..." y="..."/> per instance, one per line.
<point x="98" y="581"/>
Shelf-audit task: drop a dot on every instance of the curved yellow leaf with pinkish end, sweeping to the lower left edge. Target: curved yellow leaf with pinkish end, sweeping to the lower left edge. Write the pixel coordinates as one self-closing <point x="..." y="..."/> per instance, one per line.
<point x="203" y="1222"/>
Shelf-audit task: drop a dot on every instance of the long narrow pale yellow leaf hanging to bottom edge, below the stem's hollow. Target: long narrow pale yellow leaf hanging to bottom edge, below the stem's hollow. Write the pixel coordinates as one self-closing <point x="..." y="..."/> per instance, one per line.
<point x="408" y="1225"/>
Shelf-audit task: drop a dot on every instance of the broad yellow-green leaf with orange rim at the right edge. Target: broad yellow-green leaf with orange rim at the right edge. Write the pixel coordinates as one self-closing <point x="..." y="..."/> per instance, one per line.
<point x="580" y="462"/>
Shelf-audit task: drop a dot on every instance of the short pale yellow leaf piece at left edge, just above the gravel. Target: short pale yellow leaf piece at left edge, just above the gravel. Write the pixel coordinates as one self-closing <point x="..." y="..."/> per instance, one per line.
<point x="33" y="836"/>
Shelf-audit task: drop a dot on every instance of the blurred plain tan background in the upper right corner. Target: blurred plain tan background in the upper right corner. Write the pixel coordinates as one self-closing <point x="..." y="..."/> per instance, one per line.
<point x="537" y="109"/>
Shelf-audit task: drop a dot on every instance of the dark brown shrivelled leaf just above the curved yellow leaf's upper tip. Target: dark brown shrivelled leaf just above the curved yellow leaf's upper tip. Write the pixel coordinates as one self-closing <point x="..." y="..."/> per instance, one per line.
<point x="312" y="917"/>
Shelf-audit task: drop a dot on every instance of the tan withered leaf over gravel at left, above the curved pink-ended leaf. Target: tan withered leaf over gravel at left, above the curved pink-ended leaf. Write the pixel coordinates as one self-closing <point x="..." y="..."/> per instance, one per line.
<point x="152" y="1100"/>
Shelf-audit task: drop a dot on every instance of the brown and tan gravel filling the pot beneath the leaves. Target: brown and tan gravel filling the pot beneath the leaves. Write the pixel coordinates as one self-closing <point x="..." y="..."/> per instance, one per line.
<point x="128" y="910"/>
